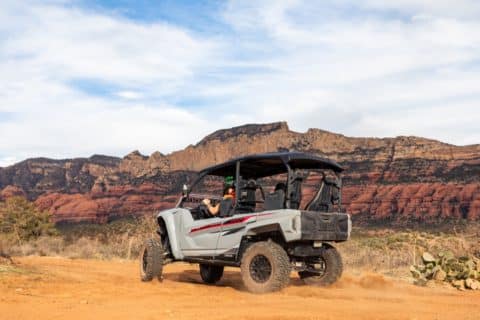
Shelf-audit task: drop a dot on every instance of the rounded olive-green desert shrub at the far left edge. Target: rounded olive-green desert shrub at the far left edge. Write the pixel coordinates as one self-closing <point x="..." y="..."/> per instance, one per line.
<point x="22" y="221"/>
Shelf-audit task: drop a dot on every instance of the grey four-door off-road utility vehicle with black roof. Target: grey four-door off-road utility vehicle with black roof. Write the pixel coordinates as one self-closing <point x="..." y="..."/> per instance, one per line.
<point x="267" y="233"/>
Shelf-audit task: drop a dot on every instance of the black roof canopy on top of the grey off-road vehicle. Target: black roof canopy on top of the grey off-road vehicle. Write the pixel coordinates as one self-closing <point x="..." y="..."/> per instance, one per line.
<point x="267" y="164"/>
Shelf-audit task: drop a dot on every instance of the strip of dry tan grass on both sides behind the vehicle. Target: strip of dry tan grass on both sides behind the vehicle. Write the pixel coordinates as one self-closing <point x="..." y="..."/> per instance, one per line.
<point x="385" y="250"/>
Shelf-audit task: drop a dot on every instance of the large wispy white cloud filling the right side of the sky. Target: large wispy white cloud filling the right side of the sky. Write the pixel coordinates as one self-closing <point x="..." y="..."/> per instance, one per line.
<point x="338" y="72"/>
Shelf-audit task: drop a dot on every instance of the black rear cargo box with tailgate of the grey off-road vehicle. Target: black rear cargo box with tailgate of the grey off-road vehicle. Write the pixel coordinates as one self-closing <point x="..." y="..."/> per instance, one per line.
<point x="325" y="226"/>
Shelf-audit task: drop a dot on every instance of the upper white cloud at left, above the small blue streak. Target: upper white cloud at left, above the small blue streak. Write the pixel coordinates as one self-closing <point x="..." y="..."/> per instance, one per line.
<point x="71" y="43"/>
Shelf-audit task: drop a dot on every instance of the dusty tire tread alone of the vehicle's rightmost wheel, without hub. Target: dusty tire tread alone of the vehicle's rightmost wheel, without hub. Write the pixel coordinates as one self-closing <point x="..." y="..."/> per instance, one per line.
<point x="333" y="268"/>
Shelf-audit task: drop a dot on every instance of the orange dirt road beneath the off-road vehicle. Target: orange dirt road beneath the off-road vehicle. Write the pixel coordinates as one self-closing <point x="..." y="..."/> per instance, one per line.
<point x="58" y="288"/>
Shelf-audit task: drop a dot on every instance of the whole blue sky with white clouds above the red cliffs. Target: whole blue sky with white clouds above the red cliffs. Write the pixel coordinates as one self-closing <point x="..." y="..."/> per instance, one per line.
<point x="85" y="77"/>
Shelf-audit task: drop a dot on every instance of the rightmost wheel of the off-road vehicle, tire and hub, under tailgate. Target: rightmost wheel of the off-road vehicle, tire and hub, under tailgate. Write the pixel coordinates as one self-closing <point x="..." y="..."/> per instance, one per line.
<point x="325" y="269"/>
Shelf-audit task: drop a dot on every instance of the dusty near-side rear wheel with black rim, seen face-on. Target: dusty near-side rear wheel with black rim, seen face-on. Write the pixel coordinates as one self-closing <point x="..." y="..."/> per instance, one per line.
<point x="265" y="267"/>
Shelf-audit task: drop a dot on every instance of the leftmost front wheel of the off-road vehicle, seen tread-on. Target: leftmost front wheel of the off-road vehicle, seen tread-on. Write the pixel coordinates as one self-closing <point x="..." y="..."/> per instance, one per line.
<point x="151" y="260"/>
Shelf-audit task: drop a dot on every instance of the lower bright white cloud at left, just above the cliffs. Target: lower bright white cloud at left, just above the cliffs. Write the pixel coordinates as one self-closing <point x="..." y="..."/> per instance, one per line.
<point x="94" y="125"/>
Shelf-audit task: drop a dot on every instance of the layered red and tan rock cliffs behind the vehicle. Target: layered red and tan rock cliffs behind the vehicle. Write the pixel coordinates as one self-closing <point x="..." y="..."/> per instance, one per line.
<point x="394" y="179"/>
